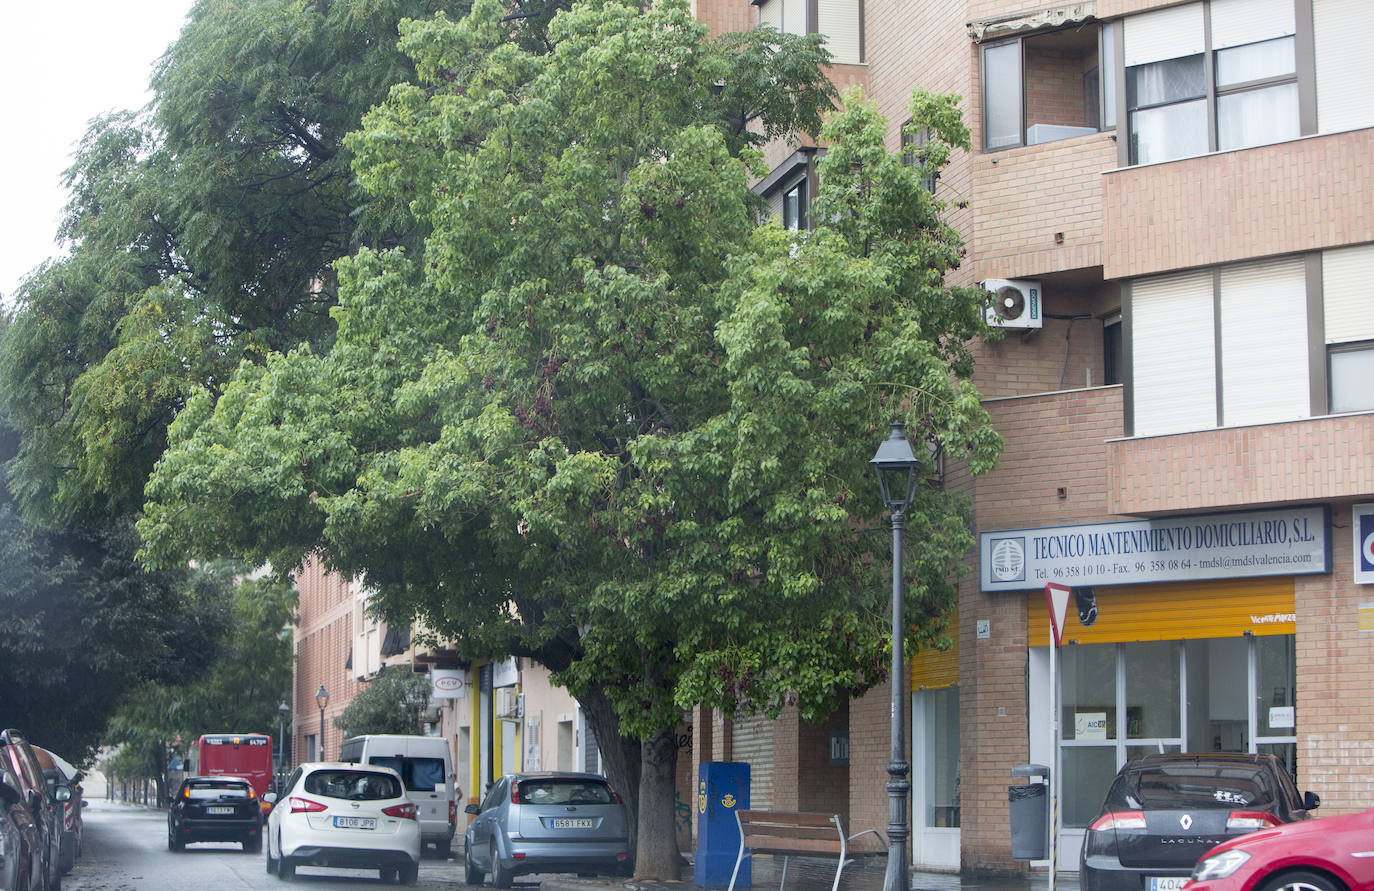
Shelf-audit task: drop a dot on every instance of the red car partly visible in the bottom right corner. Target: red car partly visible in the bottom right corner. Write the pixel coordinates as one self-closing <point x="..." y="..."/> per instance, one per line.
<point x="1328" y="855"/>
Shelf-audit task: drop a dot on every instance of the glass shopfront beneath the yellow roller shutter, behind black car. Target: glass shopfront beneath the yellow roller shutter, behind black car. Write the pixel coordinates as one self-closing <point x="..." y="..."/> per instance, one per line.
<point x="1125" y="701"/>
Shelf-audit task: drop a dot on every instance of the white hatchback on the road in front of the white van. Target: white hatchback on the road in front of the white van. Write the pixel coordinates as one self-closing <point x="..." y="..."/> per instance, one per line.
<point x="347" y="817"/>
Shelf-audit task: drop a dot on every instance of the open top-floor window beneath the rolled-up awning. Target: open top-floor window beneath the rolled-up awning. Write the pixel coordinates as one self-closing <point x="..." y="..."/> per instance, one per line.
<point x="1049" y="86"/>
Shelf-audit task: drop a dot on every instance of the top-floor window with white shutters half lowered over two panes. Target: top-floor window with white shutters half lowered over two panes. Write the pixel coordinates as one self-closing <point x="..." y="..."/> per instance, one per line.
<point x="1211" y="76"/>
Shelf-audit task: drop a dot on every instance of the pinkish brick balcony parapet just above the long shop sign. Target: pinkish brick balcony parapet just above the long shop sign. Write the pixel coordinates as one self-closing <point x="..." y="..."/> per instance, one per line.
<point x="1316" y="460"/>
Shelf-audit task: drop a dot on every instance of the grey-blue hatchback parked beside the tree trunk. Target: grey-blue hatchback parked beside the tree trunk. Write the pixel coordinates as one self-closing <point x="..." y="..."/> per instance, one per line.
<point x="548" y="823"/>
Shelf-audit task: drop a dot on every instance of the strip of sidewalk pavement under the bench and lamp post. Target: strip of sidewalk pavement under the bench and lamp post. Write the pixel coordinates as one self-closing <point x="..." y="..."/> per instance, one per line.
<point x="818" y="875"/>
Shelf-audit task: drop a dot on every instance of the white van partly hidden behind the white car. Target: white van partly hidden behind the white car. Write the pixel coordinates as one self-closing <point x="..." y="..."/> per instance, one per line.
<point x="427" y="767"/>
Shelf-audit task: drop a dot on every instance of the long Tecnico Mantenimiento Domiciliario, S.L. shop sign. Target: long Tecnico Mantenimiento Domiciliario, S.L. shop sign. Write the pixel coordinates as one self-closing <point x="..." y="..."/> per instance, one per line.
<point x="1170" y="549"/>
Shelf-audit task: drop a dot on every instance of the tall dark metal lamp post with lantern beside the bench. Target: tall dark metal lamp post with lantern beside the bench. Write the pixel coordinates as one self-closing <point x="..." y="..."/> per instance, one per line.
<point x="897" y="467"/>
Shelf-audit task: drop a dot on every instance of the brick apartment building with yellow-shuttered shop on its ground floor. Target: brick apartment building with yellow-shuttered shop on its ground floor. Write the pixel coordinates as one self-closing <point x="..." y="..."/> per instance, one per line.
<point x="1181" y="196"/>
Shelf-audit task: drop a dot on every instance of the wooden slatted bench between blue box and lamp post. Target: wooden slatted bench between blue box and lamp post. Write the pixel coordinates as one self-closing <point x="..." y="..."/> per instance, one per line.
<point x="795" y="834"/>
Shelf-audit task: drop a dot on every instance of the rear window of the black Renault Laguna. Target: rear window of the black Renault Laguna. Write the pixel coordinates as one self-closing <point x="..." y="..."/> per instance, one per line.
<point x="1193" y="786"/>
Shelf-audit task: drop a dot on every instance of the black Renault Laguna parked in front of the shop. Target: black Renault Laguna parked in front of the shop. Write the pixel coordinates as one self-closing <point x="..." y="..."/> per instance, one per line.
<point x="1166" y="812"/>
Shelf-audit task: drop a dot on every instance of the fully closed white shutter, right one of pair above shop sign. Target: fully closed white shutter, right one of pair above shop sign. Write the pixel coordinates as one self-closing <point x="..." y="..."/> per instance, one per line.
<point x="1265" y="351"/>
